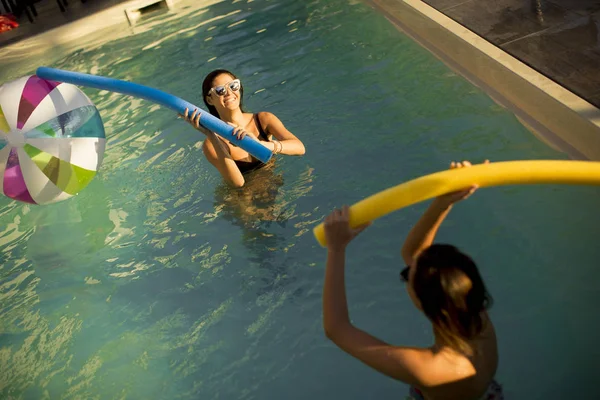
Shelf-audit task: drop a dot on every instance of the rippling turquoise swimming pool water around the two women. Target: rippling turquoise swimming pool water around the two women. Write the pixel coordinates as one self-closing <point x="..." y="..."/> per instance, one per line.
<point x="159" y="282"/>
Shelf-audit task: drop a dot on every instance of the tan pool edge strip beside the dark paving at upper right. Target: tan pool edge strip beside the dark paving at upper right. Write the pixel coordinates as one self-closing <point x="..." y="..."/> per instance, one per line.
<point x="555" y="115"/>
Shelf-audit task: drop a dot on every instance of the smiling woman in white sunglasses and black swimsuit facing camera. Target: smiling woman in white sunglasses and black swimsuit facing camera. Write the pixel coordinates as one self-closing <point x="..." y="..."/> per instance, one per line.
<point x="223" y="93"/>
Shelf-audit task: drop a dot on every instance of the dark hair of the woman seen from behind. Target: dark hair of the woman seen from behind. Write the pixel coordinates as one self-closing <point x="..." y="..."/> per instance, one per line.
<point x="452" y="294"/>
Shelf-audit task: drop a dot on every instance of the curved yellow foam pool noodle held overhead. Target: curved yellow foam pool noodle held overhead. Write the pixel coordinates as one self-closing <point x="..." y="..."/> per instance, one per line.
<point x="484" y="175"/>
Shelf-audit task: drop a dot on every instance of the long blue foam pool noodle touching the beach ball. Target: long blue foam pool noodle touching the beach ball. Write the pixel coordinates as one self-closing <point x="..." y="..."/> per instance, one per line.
<point x="207" y="120"/>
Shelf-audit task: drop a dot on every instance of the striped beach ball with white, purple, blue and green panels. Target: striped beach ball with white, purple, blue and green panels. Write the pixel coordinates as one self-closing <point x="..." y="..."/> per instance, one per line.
<point x="51" y="140"/>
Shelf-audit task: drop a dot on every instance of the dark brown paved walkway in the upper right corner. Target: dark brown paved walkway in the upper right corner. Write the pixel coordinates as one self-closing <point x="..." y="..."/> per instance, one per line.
<point x="558" y="38"/>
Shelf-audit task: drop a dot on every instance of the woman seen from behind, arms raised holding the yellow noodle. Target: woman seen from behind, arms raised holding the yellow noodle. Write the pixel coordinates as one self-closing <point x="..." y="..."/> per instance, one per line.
<point x="445" y="285"/>
